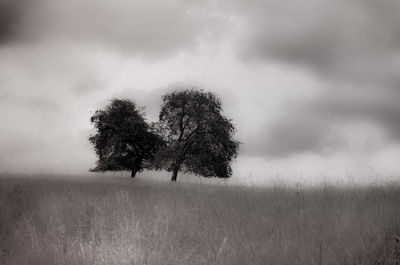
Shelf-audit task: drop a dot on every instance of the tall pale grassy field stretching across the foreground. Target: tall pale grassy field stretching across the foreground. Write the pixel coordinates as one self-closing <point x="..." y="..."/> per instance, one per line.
<point x="124" y="221"/>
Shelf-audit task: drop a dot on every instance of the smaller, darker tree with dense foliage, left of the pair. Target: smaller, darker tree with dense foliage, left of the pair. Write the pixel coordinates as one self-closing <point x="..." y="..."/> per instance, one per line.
<point x="124" y="141"/>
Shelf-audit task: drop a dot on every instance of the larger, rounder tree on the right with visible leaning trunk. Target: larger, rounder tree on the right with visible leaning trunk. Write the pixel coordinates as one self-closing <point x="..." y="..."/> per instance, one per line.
<point x="199" y="139"/>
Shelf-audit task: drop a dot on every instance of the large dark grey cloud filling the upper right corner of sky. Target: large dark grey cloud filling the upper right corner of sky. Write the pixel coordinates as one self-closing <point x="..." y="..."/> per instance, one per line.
<point x="355" y="41"/>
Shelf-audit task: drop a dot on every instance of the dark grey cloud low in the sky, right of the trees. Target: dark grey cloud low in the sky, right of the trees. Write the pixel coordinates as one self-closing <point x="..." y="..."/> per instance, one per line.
<point x="316" y="125"/>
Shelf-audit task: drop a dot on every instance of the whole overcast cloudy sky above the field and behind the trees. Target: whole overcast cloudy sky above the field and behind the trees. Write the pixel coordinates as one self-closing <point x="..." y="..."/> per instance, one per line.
<point x="311" y="85"/>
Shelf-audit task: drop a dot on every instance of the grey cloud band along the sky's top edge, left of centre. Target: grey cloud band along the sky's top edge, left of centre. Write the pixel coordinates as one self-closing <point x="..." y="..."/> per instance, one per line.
<point x="150" y="28"/>
